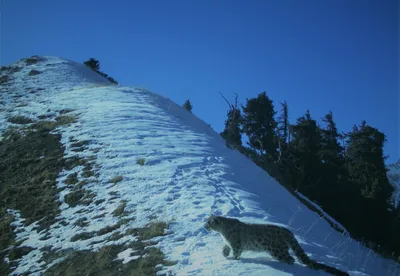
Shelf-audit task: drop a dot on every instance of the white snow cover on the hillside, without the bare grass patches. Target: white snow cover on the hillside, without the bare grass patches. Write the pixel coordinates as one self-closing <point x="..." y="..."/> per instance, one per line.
<point x="188" y="174"/>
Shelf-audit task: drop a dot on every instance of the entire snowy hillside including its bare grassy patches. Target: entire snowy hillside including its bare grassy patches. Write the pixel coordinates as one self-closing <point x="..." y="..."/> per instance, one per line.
<point x="121" y="181"/>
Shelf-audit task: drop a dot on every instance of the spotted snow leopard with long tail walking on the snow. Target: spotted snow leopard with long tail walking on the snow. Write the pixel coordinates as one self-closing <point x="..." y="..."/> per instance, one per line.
<point x="276" y="240"/>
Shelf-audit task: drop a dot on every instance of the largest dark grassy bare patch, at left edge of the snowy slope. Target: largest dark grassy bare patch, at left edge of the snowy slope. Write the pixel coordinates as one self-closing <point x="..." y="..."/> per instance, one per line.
<point x="30" y="162"/>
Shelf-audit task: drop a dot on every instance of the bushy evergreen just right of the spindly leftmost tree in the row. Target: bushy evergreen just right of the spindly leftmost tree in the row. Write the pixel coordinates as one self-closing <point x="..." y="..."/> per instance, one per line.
<point x="259" y="125"/>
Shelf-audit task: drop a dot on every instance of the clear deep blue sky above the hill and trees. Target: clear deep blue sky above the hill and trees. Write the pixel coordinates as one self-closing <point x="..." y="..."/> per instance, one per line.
<point x="339" y="55"/>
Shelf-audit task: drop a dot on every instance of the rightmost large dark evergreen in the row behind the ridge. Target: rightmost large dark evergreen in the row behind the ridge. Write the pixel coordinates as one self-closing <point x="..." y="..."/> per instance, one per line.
<point x="368" y="175"/>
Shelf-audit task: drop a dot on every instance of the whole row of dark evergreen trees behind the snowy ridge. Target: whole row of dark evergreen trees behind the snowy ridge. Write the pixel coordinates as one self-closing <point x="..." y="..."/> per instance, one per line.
<point x="344" y="173"/>
